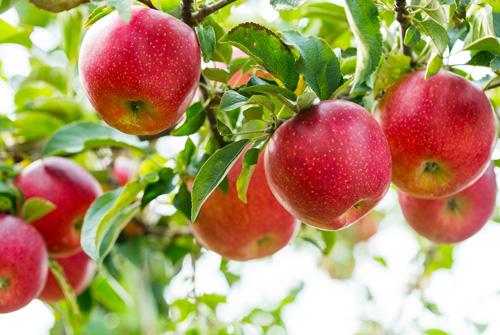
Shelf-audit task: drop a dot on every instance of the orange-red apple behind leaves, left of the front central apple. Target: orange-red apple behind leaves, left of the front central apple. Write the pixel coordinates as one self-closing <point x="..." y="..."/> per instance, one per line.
<point x="240" y="231"/>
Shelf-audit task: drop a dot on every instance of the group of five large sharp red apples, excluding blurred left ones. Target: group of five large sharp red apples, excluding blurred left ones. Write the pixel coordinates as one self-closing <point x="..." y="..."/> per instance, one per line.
<point x="329" y="165"/>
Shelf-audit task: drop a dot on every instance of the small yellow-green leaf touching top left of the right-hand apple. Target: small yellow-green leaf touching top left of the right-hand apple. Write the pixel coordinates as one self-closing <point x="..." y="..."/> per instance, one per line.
<point x="392" y="68"/>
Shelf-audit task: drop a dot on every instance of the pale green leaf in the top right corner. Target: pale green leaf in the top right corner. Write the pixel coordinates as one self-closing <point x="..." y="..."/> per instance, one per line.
<point x="481" y="36"/>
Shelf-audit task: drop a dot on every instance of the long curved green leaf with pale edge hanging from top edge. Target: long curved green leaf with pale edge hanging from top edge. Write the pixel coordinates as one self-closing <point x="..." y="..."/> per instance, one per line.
<point x="365" y="24"/>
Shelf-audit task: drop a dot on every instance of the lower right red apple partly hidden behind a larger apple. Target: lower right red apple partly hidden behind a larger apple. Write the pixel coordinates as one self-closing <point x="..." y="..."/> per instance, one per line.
<point x="455" y="218"/>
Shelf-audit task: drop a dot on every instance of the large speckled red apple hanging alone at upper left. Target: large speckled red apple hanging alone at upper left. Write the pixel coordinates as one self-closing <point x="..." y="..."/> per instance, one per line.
<point x="140" y="77"/>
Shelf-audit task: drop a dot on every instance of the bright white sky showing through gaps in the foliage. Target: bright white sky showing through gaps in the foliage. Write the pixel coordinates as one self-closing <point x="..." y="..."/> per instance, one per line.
<point x="470" y="291"/>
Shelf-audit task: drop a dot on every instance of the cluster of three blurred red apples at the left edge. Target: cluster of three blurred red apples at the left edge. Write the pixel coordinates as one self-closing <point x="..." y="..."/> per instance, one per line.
<point x="25" y="248"/>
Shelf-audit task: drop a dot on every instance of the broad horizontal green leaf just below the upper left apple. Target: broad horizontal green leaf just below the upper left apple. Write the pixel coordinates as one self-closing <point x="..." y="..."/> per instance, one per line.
<point x="81" y="135"/>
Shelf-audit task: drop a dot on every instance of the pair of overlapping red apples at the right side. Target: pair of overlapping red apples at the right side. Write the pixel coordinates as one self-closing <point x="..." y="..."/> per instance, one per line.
<point x="442" y="132"/>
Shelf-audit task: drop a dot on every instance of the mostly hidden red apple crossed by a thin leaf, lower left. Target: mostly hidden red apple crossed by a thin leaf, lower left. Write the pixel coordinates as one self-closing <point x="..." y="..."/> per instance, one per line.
<point x="79" y="270"/>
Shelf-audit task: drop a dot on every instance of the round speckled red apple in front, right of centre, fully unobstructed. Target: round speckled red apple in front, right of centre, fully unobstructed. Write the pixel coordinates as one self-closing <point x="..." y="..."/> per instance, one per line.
<point x="329" y="165"/>
